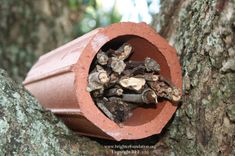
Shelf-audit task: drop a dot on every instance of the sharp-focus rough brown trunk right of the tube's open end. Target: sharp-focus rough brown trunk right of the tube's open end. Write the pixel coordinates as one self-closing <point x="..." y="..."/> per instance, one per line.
<point x="203" y="32"/>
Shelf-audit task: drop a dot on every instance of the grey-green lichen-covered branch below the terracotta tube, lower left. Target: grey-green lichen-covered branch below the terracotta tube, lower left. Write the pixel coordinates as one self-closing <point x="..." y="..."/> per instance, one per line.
<point x="27" y="129"/>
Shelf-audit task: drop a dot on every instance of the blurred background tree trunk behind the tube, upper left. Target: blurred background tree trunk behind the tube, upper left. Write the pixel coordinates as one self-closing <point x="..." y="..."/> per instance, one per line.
<point x="30" y="28"/>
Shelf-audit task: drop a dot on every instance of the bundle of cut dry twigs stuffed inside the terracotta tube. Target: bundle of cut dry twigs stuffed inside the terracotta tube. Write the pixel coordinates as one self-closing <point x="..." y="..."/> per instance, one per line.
<point x="119" y="85"/>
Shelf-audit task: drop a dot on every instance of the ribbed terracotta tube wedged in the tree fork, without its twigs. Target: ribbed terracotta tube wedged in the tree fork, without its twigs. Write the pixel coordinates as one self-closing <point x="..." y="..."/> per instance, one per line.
<point x="59" y="81"/>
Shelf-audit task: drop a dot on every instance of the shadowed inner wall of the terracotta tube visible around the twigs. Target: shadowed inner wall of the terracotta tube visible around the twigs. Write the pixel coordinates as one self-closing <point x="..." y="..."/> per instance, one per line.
<point x="142" y="48"/>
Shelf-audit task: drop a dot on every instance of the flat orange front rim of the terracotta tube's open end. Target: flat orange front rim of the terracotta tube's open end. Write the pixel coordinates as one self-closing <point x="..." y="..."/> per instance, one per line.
<point x="88" y="107"/>
